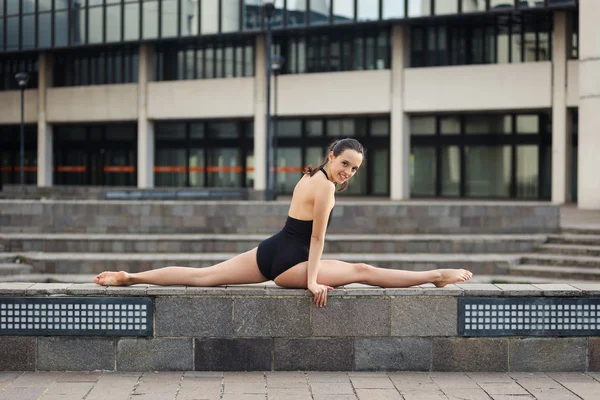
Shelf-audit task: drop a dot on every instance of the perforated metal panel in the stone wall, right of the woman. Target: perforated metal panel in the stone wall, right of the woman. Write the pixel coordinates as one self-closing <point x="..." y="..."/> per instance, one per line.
<point x="544" y="316"/>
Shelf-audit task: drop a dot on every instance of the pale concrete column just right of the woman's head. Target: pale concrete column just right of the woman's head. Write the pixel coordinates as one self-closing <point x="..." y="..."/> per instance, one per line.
<point x="400" y="130"/>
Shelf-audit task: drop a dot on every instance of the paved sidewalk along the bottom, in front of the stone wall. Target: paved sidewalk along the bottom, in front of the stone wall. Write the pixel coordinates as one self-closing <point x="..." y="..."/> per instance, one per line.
<point x="298" y="386"/>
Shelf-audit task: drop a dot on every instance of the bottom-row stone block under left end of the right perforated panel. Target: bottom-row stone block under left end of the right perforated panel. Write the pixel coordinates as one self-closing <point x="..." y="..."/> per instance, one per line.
<point x="469" y="354"/>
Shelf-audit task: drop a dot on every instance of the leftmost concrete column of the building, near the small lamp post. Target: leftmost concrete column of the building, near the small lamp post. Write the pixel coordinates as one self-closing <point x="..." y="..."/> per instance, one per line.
<point x="44" y="151"/>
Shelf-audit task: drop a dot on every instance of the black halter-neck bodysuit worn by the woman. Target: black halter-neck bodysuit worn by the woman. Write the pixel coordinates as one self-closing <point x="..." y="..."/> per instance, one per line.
<point x="287" y="248"/>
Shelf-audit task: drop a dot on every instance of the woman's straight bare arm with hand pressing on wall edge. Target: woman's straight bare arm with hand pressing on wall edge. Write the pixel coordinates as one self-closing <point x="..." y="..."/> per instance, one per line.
<point x="323" y="203"/>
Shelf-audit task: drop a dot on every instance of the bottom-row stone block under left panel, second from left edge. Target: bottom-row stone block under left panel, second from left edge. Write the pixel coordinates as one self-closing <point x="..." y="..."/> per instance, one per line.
<point x="75" y="354"/>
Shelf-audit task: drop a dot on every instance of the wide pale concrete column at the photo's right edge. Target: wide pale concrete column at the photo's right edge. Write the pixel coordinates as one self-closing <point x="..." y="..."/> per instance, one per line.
<point x="588" y="185"/>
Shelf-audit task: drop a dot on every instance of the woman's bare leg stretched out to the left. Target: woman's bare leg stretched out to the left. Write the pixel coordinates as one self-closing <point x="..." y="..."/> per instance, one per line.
<point x="237" y="270"/>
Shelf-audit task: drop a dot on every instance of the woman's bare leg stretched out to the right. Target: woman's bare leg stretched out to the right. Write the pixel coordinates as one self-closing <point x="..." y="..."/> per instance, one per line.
<point x="338" y="273"/>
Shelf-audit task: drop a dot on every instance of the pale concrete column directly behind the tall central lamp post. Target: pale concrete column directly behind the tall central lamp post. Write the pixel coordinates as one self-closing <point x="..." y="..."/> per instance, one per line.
<point x="260" y="115"/>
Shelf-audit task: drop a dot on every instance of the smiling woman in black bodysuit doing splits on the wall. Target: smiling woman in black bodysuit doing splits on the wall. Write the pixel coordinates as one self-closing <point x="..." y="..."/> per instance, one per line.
<point x="292" y="257"/>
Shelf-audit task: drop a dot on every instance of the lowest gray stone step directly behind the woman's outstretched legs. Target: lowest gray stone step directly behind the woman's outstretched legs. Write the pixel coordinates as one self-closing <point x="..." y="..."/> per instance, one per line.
<point x="91" y="263"/>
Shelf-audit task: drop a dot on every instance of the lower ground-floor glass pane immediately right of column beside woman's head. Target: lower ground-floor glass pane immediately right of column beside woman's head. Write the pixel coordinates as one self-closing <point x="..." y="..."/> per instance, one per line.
<point x="422" y="171"/>
